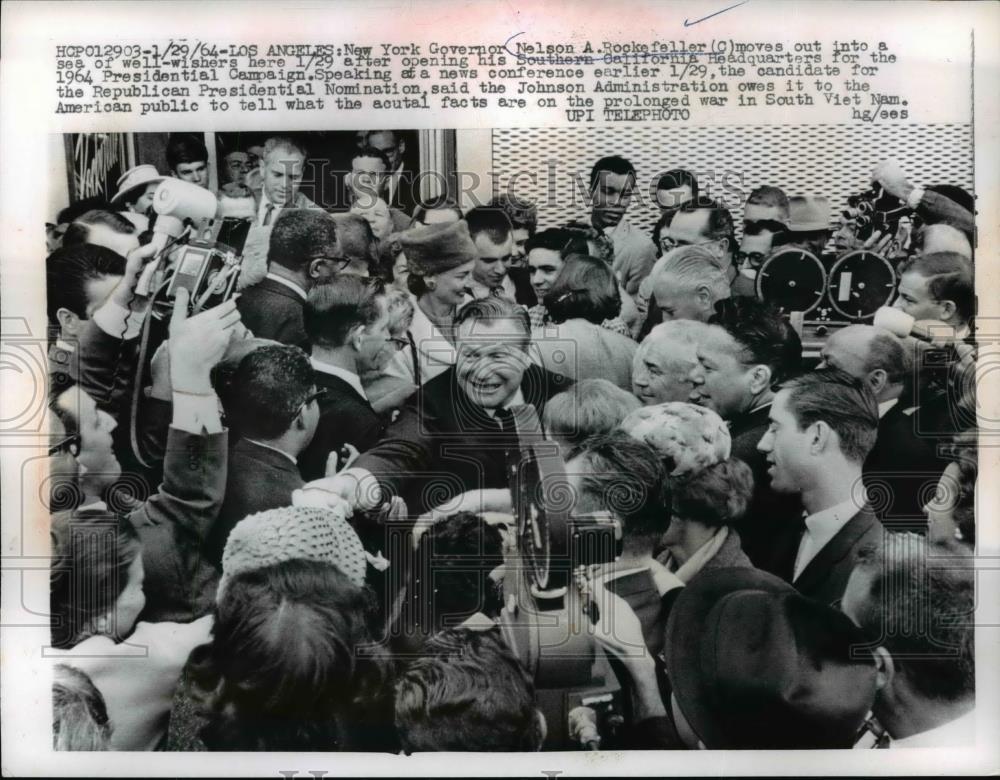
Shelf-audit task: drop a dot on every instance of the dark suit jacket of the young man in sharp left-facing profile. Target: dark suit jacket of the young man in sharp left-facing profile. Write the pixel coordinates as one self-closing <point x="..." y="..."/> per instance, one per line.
<point x="825" y="576"/>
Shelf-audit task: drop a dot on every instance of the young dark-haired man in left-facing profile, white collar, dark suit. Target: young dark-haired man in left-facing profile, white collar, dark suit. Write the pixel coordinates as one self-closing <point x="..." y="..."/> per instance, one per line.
<point x="823" y="426"/>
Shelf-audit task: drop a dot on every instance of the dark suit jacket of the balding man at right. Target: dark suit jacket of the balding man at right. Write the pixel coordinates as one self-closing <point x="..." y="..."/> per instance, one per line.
<point x="901" y="471"/>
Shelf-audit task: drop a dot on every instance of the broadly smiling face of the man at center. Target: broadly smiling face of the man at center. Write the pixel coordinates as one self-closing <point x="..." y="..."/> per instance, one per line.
<point x="491" y="360"/>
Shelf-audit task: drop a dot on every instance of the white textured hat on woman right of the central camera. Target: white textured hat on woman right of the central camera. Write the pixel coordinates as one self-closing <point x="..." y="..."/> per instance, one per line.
<point x="689" y="437"/>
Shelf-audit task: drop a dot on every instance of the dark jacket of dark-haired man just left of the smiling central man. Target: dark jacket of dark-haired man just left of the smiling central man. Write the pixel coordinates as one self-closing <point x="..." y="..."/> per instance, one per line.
<point x="345" y="418"/>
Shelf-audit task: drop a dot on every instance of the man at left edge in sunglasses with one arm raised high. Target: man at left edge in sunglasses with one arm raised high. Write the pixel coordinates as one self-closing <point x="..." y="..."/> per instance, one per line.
<point x="172" y="523"/>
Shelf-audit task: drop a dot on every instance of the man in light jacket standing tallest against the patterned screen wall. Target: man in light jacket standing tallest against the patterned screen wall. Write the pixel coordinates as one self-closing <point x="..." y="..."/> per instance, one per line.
<point x="612" y="183"/>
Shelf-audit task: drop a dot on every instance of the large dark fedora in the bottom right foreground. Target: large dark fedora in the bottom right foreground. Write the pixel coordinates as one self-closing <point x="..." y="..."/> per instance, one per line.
<point x="755" y="665"/>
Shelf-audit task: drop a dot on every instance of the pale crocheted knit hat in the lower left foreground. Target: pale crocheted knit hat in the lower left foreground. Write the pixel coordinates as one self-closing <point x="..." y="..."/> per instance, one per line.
<point x="294" y="533"/>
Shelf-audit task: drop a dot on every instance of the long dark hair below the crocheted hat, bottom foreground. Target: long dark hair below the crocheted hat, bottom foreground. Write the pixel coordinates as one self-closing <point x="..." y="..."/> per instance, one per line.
<point x="291" y="665"/>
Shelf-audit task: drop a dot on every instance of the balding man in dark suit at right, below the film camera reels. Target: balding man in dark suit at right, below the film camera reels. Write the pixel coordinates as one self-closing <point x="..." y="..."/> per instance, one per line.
<point x="903" y="465"/>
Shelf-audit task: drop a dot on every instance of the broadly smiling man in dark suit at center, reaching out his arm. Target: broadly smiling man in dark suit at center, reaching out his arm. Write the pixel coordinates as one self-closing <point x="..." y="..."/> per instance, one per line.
<point x="458" y="435"/>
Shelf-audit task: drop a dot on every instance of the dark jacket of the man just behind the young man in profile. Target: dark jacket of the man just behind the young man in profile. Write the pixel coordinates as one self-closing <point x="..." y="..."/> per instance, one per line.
<point x="772" y="526"/>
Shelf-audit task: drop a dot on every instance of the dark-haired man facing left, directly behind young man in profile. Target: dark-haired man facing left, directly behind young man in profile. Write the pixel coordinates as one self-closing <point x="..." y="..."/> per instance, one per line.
<point x="747" y="349"/>
